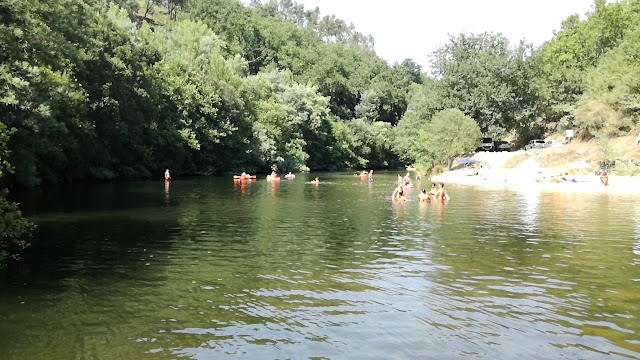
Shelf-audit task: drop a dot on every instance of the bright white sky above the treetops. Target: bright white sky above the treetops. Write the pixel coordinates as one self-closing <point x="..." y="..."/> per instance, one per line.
<point x="415" y="28"/>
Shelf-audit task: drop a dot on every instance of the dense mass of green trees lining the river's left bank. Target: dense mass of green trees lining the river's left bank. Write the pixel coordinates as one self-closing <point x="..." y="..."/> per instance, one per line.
<point x="98" y="96"/>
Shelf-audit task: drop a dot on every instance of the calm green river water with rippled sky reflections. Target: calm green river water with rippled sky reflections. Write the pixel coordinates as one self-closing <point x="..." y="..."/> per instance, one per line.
<point x="207" y="269"/>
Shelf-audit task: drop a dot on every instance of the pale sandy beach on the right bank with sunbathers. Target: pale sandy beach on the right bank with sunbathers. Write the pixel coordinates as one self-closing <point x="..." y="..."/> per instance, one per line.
<point x="530" y="176"/>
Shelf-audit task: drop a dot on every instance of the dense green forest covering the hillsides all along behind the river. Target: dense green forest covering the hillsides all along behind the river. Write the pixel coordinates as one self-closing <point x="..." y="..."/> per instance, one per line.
<point x="99" y="90"/>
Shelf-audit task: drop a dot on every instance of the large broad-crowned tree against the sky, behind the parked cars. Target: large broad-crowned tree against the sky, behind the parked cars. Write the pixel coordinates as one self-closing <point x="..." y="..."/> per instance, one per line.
<point x="486" y="79"/>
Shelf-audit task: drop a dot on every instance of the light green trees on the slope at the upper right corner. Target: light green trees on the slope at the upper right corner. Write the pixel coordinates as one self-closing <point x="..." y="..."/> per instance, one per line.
<point x="567" y="61"/>
